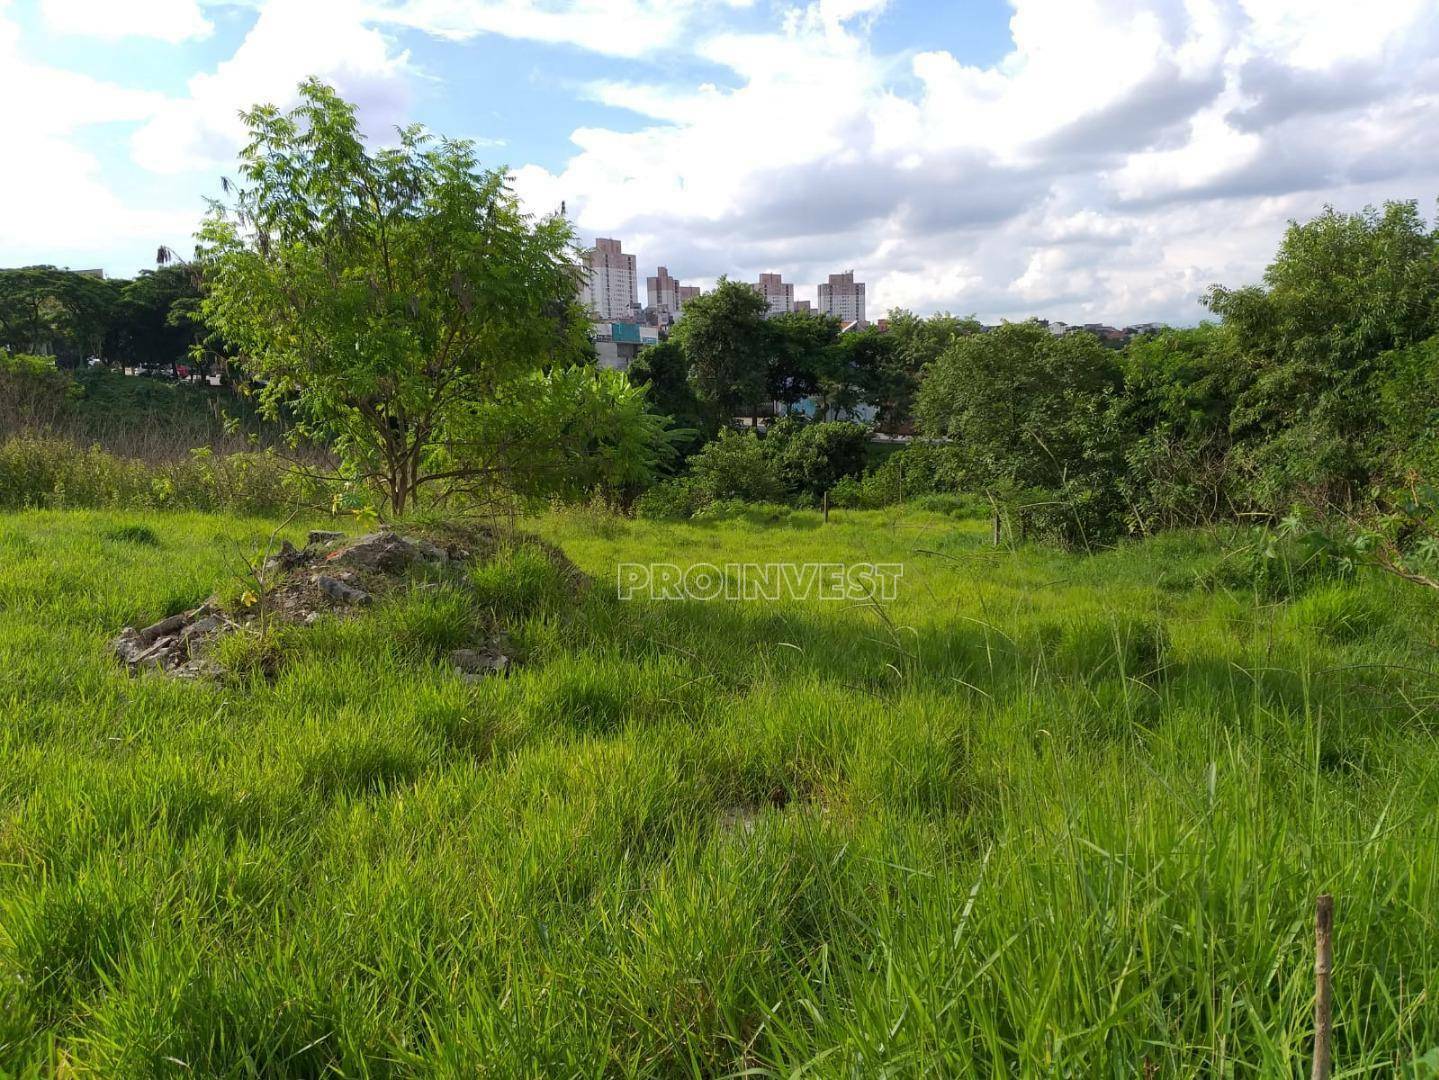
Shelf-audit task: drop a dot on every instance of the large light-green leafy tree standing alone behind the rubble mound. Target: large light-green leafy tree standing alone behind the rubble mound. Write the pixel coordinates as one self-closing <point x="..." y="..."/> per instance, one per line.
<point x="381" y="296"/>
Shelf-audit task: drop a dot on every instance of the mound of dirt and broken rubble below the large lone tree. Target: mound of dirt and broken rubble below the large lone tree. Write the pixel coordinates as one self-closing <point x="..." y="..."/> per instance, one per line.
<point x="332" y="576"/>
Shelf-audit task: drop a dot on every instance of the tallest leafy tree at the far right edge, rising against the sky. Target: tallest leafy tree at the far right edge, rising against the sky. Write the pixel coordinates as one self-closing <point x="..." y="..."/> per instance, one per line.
<point x="1342" y="291"/>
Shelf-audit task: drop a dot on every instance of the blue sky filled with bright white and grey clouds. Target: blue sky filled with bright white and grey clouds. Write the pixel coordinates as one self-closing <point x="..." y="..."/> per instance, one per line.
<point x="1083" y="160"/>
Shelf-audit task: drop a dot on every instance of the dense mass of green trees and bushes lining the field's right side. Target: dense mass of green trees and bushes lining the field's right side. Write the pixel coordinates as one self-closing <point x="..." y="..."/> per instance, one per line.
<point x="1319" y="389"/>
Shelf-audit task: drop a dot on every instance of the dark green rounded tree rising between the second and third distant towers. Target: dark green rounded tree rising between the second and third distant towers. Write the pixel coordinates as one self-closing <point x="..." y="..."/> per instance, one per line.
<point x="727" y="346"/>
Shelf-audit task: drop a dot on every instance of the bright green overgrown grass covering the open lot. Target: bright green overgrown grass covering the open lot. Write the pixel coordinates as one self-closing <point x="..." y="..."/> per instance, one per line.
<point x="1044" y="813"/>
